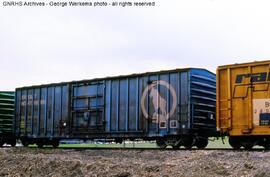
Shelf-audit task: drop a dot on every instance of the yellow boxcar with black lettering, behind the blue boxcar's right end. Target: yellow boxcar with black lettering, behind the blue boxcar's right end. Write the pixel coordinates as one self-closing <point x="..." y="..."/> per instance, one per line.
<point x="243" y="103"/>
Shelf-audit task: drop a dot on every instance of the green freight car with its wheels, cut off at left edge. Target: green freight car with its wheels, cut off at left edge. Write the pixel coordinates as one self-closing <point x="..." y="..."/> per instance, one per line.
<point x="7" y="106"/>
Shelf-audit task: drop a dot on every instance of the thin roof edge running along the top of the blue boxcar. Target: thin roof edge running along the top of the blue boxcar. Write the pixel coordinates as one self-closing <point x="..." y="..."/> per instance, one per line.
<point x="114" y="77"/>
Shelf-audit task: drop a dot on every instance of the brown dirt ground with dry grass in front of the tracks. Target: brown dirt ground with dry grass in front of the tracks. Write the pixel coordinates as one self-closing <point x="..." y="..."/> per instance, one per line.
<point x="123" y="163"/>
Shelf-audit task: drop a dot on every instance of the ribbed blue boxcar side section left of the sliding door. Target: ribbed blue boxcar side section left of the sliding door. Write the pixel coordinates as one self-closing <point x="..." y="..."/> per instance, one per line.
<point x="43" y="111"/>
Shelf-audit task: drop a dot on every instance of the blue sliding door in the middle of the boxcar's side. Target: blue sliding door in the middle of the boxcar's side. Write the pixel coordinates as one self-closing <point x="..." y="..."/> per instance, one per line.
<point x="87" y="100"/>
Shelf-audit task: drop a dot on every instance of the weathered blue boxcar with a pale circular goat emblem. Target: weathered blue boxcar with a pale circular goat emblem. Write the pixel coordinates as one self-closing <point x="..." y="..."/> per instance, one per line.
<point x="175" y="107"/>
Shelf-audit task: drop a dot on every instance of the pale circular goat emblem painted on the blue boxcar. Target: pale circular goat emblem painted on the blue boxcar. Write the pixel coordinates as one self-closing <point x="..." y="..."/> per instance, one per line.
<point x="158" y="101"/>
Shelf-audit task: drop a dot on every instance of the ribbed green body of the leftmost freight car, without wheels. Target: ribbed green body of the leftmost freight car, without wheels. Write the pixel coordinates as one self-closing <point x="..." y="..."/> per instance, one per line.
<point x="7" y="101"/>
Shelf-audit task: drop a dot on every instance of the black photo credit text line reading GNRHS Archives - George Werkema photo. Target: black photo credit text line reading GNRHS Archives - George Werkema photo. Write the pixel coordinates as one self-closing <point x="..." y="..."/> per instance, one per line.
<point x="78" y="3"/>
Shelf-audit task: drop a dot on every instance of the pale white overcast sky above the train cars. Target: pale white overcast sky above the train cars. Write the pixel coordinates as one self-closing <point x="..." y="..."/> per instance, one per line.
<point x="53" y="44"/>
